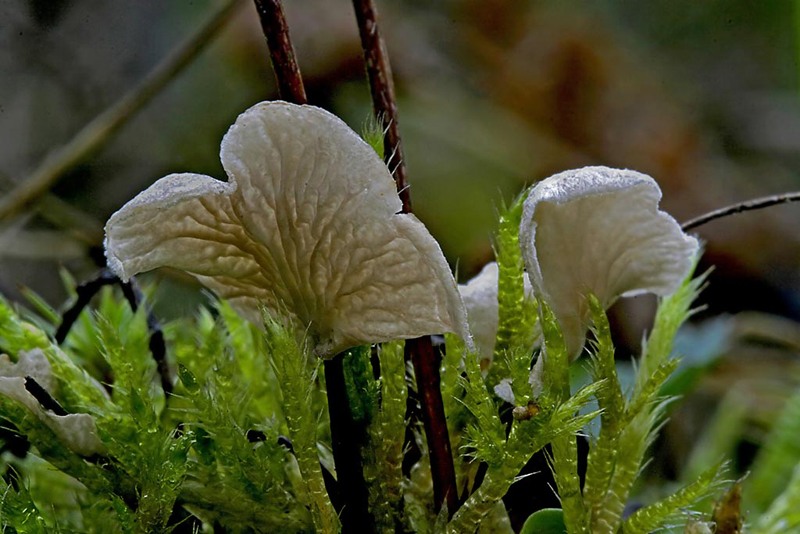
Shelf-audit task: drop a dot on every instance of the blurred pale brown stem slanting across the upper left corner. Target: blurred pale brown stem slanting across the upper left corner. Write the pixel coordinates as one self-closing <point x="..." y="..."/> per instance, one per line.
<point x="100" y="130"/>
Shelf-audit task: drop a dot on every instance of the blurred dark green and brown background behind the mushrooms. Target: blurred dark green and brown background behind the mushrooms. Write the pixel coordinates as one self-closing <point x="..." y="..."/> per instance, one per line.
<point x="493" y="96"/>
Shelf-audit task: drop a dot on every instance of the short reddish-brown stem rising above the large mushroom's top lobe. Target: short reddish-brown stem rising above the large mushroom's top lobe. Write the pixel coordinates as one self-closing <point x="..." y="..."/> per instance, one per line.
<point x="281" y="51"/>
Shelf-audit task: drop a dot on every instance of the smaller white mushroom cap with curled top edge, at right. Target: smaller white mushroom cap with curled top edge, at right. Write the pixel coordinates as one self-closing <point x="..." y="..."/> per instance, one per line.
<point x="598" y="230"/>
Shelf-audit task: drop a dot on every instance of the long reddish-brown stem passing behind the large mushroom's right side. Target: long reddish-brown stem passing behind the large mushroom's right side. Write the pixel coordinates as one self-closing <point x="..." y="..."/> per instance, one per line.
<point x="420" y="350"/>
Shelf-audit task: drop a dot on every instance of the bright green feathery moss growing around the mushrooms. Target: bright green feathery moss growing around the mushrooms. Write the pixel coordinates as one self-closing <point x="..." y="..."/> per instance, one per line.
<point x="243" y="442"/>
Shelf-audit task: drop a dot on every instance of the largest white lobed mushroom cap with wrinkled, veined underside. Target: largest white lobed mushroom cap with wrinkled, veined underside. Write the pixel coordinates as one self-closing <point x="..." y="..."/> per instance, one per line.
<point x="308" y="224"/>
